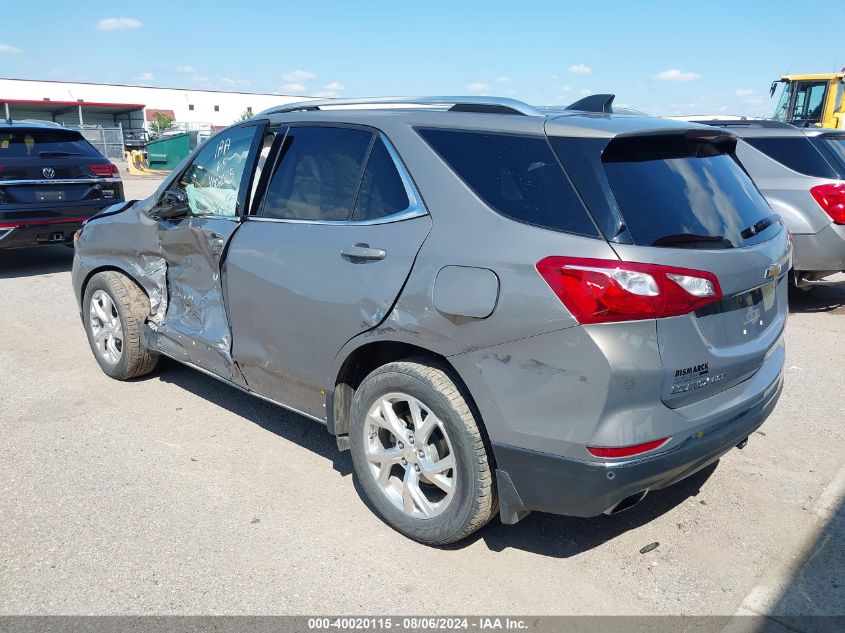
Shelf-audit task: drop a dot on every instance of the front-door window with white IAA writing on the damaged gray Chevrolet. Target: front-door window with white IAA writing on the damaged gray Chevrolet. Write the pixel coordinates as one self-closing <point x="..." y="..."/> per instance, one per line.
<point x="213" y="179"/>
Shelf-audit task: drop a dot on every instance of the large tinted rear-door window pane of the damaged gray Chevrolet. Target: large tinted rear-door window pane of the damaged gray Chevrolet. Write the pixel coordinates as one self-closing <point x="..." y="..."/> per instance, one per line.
<point x="317" y="174"/>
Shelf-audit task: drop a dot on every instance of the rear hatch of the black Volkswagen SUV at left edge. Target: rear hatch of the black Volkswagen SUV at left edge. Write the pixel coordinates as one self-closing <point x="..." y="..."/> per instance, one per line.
<point x="47" y="167"/>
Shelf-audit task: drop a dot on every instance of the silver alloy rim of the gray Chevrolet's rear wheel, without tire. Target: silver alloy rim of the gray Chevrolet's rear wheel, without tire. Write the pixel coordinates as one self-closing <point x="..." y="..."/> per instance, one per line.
<point x="410" y="455"/>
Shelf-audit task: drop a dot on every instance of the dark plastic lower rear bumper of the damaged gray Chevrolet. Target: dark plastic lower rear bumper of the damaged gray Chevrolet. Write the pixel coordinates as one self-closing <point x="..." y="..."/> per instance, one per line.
<point x="530" y="480"/>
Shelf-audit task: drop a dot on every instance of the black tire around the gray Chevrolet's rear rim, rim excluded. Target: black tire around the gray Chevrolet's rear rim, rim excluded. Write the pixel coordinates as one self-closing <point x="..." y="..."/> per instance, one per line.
<point x="474" y="503"/>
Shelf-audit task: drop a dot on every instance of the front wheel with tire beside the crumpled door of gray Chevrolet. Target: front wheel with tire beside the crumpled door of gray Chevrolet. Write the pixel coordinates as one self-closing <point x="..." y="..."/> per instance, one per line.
<point x="114" y="311"/>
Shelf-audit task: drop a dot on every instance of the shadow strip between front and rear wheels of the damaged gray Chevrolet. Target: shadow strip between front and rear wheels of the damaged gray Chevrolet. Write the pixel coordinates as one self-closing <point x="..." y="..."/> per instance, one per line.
<point x="296" y="428"/>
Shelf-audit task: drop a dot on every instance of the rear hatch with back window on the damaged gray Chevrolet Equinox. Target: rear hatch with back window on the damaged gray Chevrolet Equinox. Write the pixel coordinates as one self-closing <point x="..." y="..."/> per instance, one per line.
<point x="682" y="201"/>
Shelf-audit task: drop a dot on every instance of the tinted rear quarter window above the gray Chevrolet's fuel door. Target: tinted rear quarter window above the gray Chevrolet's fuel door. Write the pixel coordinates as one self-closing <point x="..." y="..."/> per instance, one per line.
<point x="518" y="176"/>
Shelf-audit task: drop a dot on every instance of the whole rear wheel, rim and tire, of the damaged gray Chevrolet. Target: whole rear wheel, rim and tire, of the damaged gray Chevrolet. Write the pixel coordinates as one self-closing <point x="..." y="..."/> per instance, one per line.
<point x="419" y="453"/>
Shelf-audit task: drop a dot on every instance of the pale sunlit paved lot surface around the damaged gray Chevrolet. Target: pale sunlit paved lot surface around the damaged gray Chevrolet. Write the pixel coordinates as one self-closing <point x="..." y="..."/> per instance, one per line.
<point x="175" y="494"/>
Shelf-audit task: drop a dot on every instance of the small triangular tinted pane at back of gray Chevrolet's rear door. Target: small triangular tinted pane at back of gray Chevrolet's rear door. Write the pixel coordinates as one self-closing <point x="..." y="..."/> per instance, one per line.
<point x="382" y="191"/>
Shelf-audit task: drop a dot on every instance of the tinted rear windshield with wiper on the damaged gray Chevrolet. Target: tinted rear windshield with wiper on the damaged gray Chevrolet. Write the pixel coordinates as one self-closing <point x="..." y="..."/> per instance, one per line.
<point x="685" y="195"/>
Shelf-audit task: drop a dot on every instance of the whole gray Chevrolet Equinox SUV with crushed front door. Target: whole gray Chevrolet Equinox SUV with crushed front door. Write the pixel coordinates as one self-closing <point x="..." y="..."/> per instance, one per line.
<point x="497" y="308"/>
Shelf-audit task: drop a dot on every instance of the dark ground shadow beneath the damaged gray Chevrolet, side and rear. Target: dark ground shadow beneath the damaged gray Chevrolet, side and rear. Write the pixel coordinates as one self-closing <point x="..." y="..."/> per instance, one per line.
<point x="544" y="534"/>
